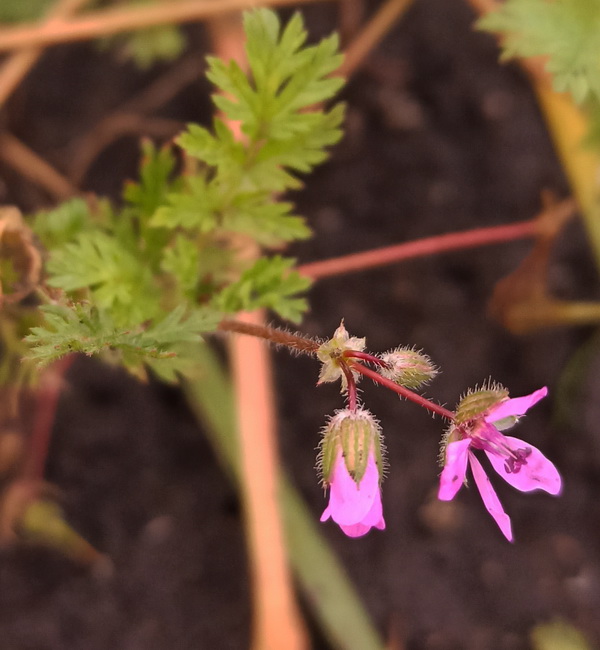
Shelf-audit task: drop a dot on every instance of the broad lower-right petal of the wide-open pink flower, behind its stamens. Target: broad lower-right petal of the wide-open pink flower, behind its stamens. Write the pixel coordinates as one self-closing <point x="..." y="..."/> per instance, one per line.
<point x="538" y="474"/>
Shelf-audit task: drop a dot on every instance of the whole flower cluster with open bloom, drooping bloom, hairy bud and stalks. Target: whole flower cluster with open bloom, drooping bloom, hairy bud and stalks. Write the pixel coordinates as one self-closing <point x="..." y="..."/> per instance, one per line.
<point x="351" y="459"/>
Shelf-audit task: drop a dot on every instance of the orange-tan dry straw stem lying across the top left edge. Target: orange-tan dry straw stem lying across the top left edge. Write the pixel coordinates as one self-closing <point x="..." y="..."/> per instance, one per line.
<point x="113" y="21"/>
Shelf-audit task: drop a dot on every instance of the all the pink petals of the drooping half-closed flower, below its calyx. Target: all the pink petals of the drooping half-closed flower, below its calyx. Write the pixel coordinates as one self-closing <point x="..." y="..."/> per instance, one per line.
<point x="356" y="508"/>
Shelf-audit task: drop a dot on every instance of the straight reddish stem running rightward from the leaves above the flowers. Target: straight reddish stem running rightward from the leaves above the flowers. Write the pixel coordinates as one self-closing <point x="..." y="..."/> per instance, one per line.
<point x="419" y="248"/>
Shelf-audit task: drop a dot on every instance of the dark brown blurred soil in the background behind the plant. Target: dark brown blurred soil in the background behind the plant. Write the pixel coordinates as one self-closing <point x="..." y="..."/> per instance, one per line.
<point x="440" y="138"/>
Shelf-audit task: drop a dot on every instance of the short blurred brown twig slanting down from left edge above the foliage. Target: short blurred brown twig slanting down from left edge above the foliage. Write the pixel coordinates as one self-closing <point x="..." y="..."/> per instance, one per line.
<point x="36" y="169"/>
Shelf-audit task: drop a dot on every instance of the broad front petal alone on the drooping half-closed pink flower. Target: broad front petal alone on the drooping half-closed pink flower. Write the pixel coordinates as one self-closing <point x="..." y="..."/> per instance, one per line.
<point x="349" y="503"/>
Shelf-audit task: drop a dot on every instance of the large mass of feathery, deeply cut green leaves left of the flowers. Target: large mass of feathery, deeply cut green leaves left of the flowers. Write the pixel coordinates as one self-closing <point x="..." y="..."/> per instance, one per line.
<point x="136" y="283"/>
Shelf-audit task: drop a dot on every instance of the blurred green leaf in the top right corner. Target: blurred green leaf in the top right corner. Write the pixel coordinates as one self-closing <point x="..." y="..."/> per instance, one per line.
<point x="567" y="32"/>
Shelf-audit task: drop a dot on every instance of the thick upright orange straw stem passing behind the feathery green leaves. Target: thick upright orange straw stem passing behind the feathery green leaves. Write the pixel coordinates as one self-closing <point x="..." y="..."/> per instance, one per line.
<point x="277" y="622"/>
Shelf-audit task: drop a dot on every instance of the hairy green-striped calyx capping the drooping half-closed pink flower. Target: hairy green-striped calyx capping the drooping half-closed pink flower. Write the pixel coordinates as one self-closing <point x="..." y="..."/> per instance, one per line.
<point x="355" y="435"/>
